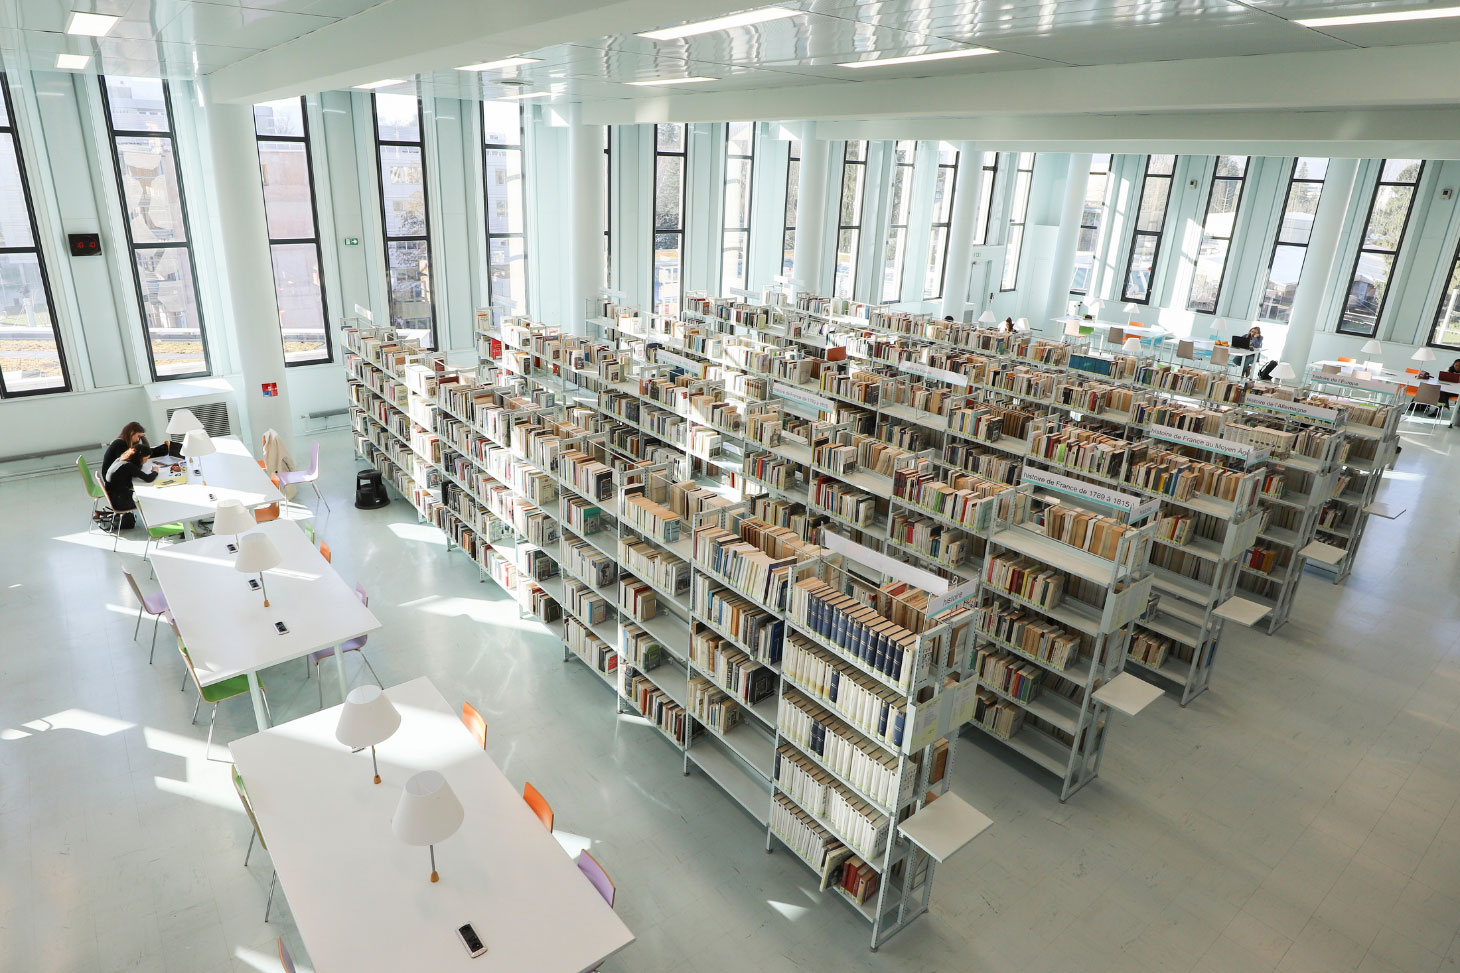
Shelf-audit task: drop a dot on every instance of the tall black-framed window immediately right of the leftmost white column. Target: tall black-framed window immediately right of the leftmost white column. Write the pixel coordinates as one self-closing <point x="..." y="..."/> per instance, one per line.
<point x="283" y="132"/>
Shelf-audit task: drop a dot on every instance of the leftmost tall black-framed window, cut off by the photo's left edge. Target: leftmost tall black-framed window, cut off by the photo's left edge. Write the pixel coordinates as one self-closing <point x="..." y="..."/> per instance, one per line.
<point x="31" y="357"/>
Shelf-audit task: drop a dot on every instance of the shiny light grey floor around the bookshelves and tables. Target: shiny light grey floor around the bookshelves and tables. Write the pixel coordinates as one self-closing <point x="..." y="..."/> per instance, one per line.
<point x="1300" y="816"/>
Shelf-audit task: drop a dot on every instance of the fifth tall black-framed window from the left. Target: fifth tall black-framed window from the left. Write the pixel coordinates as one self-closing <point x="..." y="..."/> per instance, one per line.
<point x="503" y="170"/>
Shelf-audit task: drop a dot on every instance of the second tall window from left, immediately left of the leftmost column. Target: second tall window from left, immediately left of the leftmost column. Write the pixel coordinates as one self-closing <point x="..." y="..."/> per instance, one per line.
<point x="139" y="118"/>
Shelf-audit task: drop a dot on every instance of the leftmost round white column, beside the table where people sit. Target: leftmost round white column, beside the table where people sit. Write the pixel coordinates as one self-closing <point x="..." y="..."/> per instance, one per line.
<point x="250" y="306"/>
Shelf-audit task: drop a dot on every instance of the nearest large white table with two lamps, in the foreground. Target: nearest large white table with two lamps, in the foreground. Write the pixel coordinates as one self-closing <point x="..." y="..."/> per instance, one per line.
<point x="363" y="899"/>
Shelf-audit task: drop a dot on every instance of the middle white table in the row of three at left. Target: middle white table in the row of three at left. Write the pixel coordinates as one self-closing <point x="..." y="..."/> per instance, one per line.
<point x="224" y="623"/>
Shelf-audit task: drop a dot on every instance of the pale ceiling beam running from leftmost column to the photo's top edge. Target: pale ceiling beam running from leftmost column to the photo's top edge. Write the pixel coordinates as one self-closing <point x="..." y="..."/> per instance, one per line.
<point x="402" y="39"/>
